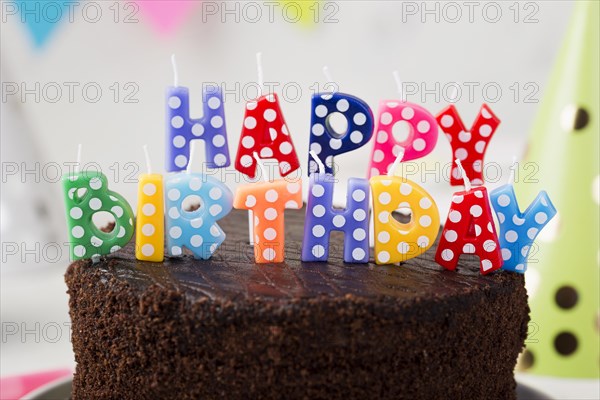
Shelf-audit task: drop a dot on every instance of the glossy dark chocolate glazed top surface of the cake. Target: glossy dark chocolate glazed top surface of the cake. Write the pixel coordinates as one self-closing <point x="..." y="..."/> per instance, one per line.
<point x="231" y="273"/>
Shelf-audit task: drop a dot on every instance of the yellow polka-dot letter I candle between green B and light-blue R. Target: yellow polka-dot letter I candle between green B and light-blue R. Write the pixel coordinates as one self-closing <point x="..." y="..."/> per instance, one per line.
<point x="150" y="224"/>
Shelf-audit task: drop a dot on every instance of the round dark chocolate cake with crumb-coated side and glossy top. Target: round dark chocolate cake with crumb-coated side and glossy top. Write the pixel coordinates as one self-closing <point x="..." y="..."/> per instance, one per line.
<point x="230" y="328"/>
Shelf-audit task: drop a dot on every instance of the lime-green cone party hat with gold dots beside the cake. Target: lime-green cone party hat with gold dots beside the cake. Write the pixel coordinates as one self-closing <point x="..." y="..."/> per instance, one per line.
<point x="563" y="275"/>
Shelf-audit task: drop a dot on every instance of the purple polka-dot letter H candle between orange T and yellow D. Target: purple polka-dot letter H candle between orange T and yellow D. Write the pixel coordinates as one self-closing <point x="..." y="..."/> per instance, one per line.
<point x="321" y="219"/>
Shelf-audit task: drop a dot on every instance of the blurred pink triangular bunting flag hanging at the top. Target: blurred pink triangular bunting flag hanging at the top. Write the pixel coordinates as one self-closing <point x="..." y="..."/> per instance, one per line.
<point x="166" y="15"/>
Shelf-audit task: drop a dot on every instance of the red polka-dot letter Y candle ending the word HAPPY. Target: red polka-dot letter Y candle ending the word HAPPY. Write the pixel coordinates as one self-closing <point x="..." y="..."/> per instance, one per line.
<point x="468" y="146"/>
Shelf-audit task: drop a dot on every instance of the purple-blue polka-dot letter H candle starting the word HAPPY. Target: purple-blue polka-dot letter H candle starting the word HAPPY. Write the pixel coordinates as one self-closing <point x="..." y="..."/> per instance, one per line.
<point x="181" y="129"/>
